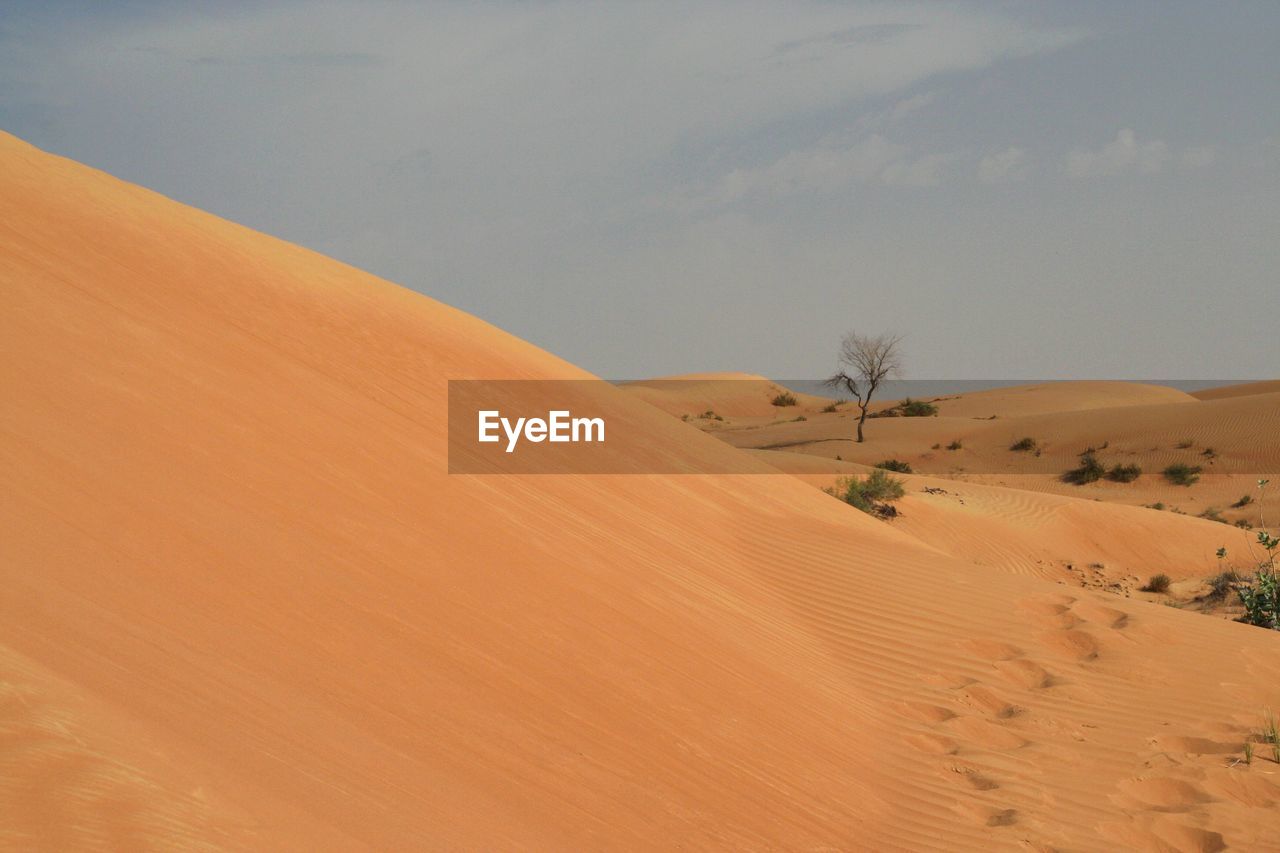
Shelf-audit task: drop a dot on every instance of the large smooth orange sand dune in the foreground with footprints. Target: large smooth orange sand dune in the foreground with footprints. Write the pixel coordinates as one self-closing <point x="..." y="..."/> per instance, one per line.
<point x="245" y="606"/>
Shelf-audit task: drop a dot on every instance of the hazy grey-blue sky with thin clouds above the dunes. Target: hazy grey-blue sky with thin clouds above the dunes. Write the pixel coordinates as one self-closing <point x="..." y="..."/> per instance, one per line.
<point x="1025" y="190"/>
